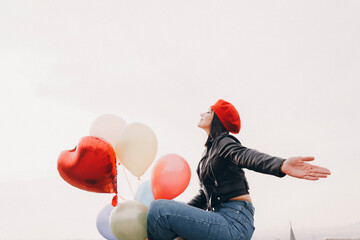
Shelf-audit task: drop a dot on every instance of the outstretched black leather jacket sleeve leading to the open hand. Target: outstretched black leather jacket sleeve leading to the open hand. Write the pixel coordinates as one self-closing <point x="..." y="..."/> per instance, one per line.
<point x="250" y="158"/>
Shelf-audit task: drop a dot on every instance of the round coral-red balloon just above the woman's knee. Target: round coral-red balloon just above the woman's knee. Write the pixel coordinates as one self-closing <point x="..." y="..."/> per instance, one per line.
<point x="170" y="176"/>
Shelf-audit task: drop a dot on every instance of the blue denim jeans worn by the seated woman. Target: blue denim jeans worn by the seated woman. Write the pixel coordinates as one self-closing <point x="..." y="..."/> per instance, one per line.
<point x="168" y="219"/>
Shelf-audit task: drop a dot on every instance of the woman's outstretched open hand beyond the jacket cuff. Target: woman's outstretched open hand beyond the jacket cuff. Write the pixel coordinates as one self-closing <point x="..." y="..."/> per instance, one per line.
<point x="299" y="168"/>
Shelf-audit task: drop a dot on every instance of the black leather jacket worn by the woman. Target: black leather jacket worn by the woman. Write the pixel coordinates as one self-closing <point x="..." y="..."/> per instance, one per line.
<point x="220" y="170"/>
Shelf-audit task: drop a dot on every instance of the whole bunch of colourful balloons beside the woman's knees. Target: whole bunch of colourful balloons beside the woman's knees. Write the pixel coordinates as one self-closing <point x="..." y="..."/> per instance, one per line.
<point x="92" y="166"/>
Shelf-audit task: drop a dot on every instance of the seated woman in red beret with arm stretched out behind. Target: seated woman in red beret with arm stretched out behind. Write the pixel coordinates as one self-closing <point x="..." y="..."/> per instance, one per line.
<point x="222" y="209"/>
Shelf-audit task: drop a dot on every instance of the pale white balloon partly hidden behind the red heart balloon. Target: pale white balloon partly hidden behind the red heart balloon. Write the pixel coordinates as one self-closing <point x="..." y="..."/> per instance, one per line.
<point x="109" y="127"/>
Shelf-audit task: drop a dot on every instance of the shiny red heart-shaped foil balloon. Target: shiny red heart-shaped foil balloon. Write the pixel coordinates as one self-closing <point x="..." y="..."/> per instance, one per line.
<point x="90" y="166"/>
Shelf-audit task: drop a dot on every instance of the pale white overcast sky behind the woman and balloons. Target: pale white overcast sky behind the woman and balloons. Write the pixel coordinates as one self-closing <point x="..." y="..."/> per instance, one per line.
<point x="290" y="67"/>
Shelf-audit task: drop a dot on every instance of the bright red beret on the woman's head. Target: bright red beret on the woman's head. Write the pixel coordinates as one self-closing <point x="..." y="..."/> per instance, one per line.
<point x="228" y="115"/>
